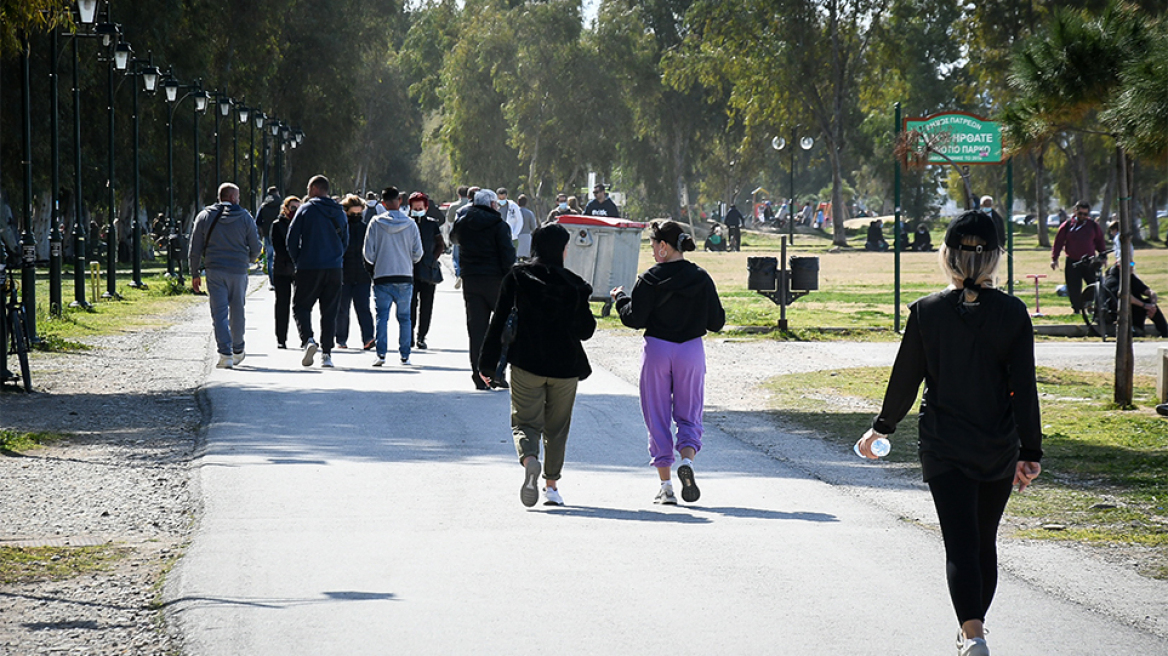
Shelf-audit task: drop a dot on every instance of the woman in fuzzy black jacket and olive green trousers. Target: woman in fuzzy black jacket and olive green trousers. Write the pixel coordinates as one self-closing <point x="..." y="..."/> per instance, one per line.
<point x="547" y="359"/>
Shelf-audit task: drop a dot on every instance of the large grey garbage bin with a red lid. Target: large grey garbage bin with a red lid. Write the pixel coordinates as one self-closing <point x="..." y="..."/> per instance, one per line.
<point x="604" y="253"/>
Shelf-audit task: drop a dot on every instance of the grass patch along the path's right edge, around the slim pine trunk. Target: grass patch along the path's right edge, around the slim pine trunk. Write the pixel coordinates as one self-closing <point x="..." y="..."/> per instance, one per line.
<point x="1106" y="471"/>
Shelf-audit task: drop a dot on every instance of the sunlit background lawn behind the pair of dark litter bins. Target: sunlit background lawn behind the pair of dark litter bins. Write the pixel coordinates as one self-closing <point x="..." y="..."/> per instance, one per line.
<point x="858" y="289"/>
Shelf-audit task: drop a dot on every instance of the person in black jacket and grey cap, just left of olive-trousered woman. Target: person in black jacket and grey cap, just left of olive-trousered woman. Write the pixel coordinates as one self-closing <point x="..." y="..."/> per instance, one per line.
<point x="486" y="255"/>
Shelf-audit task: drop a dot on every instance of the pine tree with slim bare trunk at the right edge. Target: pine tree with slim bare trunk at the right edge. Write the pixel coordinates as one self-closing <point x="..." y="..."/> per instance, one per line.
<point x="1073" y="72"/>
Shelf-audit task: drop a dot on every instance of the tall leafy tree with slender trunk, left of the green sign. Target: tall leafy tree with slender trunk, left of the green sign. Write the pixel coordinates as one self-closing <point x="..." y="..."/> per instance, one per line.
<point x="810" y="68"/>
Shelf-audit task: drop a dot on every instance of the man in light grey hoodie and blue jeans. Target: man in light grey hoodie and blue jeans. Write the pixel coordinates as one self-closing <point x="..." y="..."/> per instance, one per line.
<point x="393" y="247"/>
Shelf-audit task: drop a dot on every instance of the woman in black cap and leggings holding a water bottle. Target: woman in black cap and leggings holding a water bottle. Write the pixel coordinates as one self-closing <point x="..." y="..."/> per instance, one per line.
<point x="981" y="431"/>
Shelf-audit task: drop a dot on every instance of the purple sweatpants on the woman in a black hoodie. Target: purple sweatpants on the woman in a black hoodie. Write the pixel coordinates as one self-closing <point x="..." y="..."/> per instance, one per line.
<point x="673" y="392"/>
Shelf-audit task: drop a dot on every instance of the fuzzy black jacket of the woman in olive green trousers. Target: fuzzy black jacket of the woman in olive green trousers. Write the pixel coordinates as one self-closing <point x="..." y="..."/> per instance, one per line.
<point x="554" y="318"/>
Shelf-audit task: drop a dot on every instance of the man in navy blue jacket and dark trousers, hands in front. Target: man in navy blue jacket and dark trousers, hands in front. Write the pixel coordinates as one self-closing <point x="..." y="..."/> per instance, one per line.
<point x="318" y="238"/>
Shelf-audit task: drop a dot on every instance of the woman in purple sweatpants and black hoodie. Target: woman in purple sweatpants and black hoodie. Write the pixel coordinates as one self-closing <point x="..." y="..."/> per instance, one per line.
<point x="677" y="303"/>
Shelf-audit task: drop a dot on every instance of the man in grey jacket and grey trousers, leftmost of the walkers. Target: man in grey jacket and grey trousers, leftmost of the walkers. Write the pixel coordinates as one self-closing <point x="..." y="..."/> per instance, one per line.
<point x="225" y="241"/>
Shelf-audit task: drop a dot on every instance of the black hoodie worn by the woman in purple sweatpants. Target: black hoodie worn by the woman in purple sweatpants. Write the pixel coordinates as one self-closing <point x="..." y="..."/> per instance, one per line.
<point x="676" y="302"/>
